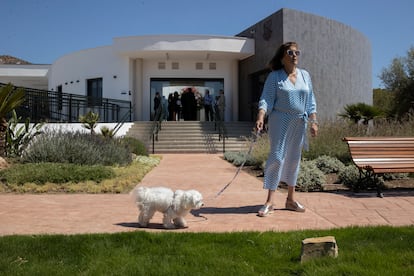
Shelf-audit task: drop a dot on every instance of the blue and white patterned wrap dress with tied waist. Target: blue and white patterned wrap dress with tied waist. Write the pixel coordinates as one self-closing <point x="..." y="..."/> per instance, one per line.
<point x="288" y="106"/>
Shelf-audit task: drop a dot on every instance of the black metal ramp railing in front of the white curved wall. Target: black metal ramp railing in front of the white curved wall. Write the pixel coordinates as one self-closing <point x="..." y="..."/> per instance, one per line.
<point x="53" y="106"/>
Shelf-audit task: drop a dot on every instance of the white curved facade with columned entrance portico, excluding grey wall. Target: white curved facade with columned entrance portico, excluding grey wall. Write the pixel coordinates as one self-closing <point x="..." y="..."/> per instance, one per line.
<point x="135" y="68"/>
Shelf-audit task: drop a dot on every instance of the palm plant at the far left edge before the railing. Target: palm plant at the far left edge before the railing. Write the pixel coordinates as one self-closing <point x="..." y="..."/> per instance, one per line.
<point x="10" y="98"/>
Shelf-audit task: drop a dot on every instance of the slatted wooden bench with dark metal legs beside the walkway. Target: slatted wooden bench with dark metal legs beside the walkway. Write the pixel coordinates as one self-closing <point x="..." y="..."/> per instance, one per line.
<point x="375" y="156"/>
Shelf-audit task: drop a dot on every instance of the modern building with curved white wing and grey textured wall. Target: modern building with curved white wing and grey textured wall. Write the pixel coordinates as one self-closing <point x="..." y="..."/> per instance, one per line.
<point x="135" y="68"/>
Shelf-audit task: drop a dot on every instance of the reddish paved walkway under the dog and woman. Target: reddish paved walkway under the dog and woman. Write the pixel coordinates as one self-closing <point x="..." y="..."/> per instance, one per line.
<point x="234" y="210"/>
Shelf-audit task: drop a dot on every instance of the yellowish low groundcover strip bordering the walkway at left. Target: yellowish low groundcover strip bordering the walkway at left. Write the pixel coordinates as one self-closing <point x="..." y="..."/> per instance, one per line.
<point x="121" y="180"/>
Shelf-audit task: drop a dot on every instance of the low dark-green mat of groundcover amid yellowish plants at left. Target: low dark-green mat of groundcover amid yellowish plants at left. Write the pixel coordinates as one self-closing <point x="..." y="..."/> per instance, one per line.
<point x="42" y="173"/>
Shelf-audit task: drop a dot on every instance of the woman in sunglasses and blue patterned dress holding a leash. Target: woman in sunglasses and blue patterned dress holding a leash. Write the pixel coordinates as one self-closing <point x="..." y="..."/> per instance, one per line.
<point x="289" y="101"/>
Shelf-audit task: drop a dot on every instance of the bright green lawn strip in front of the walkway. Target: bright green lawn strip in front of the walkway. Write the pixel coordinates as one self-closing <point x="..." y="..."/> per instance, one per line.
<point x="362" y="251"/>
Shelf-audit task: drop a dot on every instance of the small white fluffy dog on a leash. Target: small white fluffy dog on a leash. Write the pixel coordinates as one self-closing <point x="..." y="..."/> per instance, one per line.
<point x="174" y="205"/>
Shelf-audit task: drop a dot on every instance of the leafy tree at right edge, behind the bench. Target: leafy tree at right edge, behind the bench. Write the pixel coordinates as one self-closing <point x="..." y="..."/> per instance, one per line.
<point x="399" y="78"/>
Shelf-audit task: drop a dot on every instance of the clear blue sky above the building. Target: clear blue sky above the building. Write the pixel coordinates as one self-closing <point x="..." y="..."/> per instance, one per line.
<point x="41" y="31"/>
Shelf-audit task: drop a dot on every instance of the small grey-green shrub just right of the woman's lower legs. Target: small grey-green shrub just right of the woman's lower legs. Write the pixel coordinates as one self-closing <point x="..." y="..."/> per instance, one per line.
<point x="310" y="178"/>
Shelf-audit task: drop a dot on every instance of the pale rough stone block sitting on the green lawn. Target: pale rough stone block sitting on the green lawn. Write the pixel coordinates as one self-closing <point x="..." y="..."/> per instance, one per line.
<point x="319" y="247"/>
